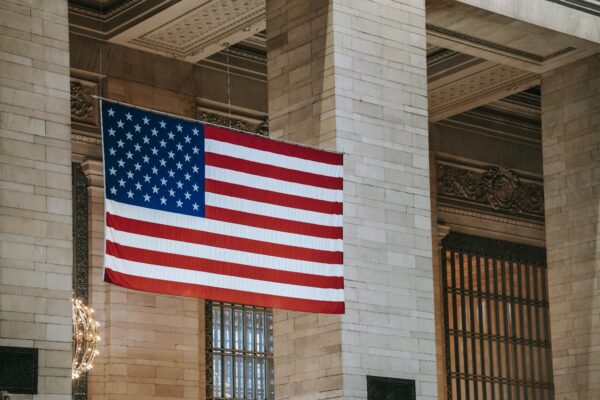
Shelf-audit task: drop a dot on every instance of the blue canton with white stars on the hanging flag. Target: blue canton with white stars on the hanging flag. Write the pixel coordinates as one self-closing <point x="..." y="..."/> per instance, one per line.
<point x="153" y="160"/>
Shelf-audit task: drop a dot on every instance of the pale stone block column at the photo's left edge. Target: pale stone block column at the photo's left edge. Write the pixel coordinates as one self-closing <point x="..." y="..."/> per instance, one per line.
<point x="35" y="188"/>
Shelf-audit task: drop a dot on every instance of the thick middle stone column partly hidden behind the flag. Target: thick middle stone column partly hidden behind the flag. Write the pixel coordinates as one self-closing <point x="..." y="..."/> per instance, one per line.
<point x="350" y="75"/>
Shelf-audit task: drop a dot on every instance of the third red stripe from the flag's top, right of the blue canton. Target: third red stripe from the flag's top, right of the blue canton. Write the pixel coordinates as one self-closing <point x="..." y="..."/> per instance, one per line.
<point x="276" y="198"/>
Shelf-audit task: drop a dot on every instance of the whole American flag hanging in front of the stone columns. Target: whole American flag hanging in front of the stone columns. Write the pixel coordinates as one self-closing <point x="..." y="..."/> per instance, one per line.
<point x="197" y="210"/>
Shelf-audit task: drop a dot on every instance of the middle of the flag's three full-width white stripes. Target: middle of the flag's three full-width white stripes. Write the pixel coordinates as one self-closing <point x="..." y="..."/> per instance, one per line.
<point x="221" y="254"/>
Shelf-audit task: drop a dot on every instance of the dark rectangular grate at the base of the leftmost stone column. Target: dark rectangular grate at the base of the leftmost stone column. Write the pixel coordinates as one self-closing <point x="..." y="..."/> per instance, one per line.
<point x="18" y="369"/>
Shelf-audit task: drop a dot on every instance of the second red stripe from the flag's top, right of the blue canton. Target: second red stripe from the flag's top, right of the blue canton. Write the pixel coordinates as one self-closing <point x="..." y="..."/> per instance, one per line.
<point x="271" y="171"/>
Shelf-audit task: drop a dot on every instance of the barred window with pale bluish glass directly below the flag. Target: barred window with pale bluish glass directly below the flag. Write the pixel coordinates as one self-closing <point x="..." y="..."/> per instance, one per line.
<point x="239" y="352"/>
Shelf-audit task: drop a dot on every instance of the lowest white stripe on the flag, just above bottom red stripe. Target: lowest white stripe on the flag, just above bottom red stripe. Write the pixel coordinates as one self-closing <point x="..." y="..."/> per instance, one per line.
<point x="222" y="281"/>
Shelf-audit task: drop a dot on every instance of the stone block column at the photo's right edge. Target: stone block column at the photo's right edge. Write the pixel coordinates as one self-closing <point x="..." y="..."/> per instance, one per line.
<point x="571" y="155"/>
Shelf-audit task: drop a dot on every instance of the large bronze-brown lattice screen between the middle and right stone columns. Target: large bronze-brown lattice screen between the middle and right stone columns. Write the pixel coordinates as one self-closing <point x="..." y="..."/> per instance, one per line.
<point x="496" y="324"/>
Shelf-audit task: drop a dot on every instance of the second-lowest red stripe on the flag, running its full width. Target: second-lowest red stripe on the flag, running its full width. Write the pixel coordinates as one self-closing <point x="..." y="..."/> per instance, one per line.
<point x="222" y="268"/>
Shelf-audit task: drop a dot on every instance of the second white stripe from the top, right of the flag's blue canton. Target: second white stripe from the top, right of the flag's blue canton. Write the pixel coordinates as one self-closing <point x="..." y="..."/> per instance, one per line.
<point x="274" y="185"/>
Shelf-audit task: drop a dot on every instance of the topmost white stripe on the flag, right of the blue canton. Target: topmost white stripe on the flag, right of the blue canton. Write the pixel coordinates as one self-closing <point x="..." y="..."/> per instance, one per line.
<point x="266" y="157"/>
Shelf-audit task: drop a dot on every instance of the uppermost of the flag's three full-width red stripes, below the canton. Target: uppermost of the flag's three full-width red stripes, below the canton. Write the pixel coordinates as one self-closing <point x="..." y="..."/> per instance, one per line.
<point x="223" y="241"/>
